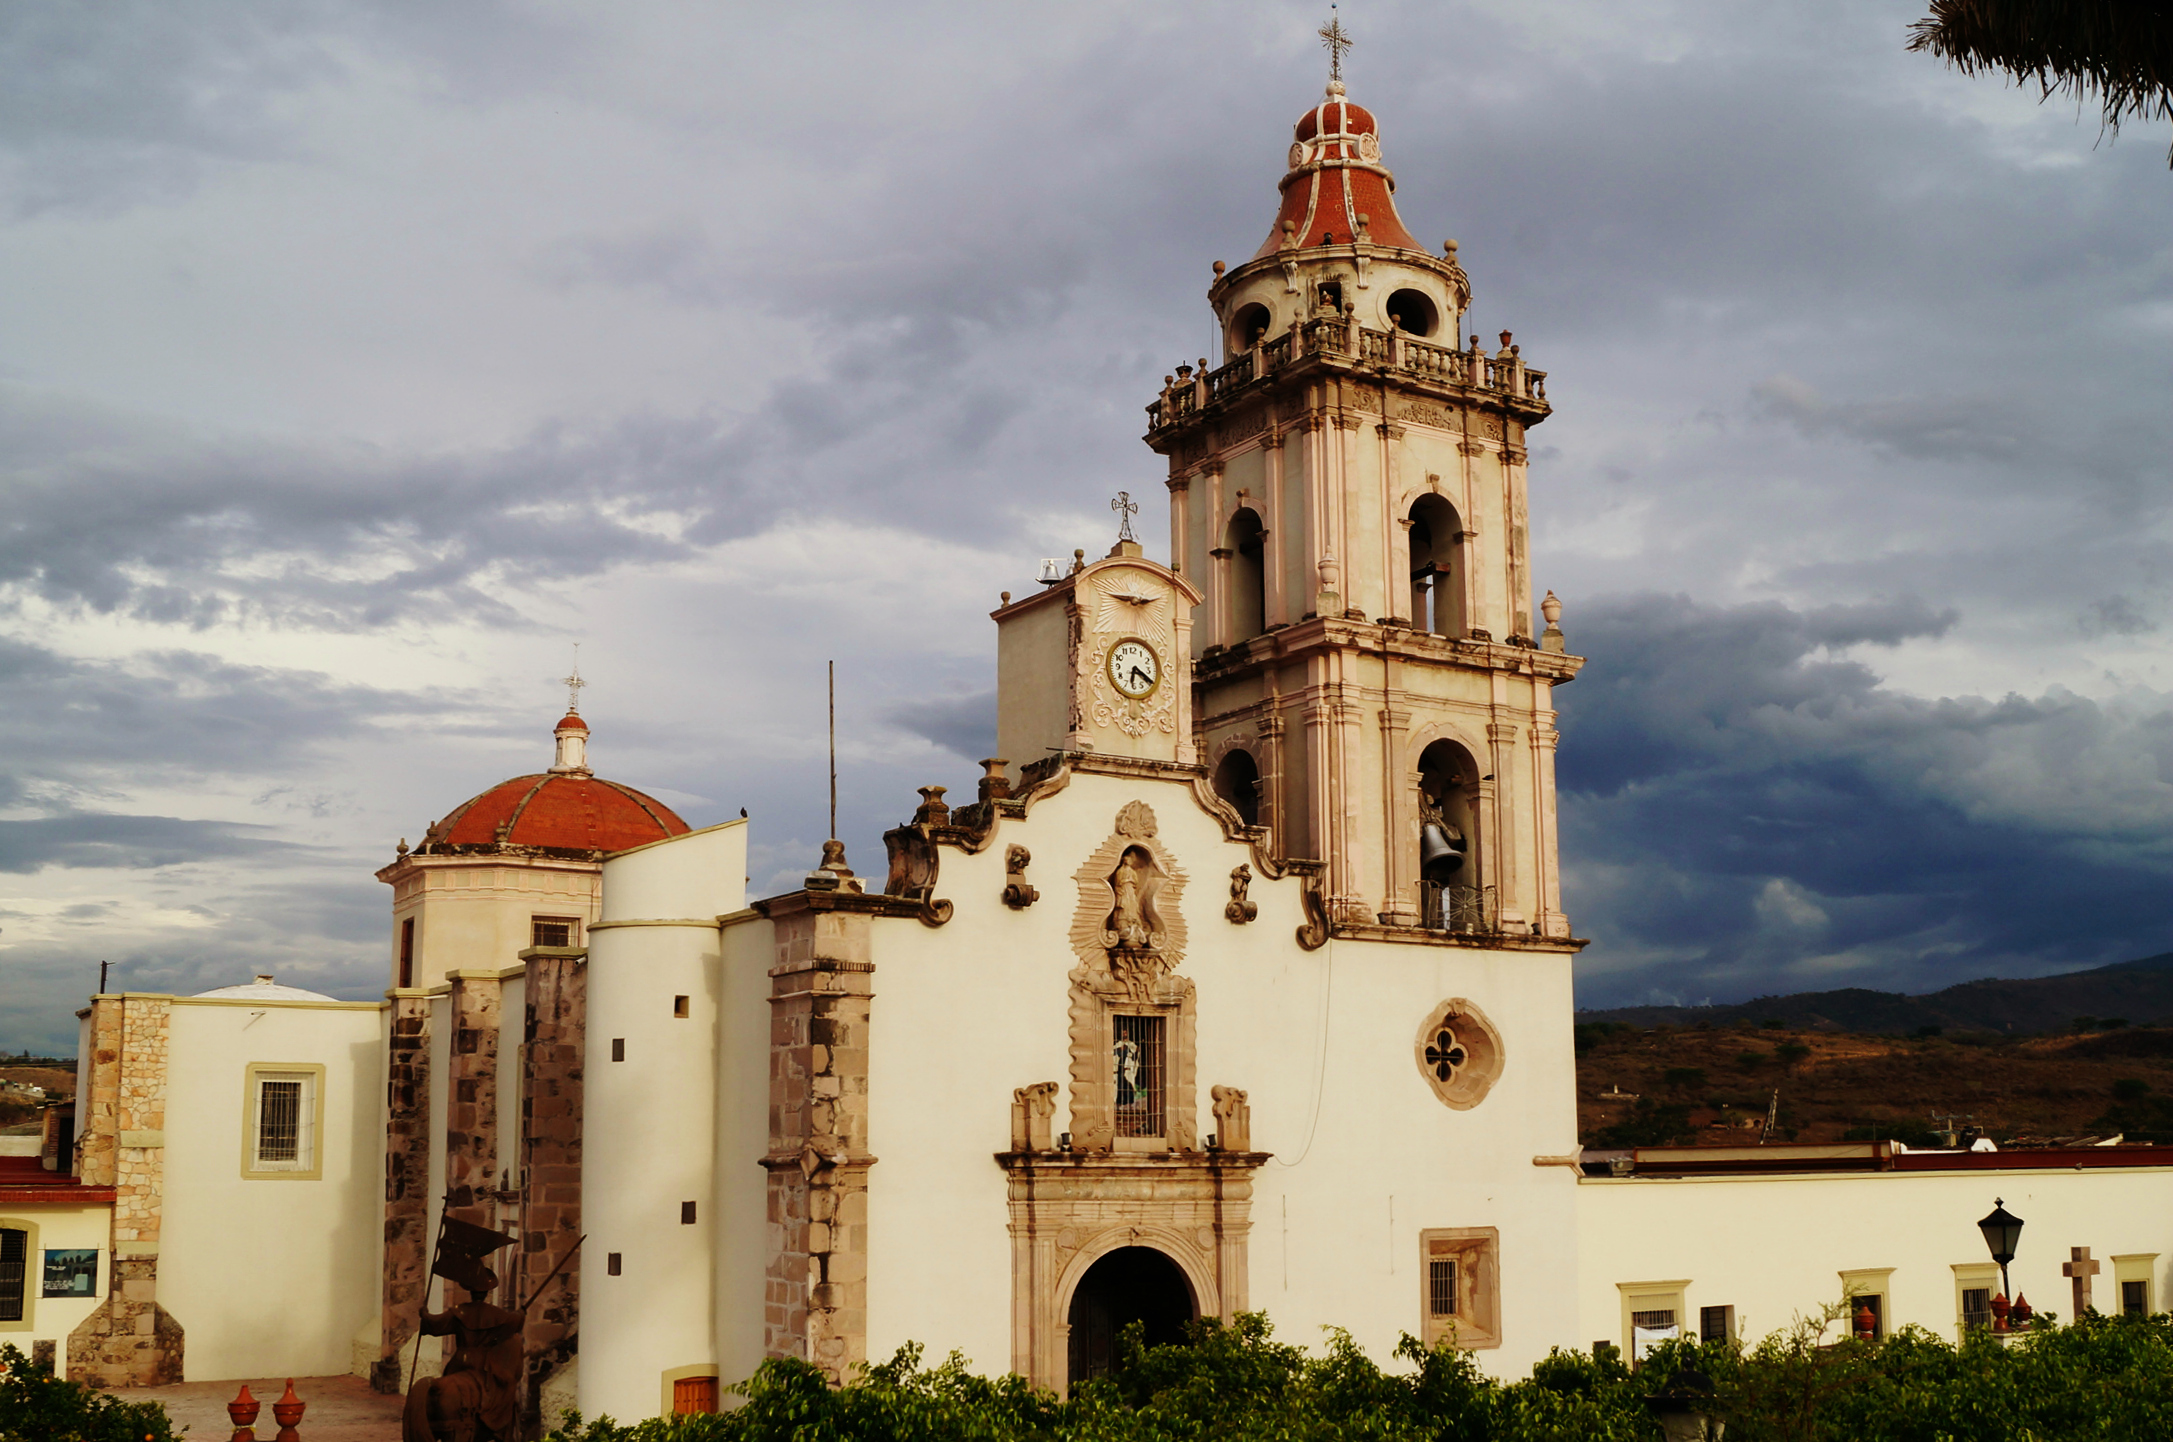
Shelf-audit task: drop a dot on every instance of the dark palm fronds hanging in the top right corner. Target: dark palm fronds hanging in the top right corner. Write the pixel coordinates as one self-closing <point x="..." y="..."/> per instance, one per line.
<point x="2118" y="53"/>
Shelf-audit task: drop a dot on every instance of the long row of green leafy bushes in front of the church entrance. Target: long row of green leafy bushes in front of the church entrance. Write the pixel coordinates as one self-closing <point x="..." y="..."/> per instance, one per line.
<point x="2105" y="1378"/>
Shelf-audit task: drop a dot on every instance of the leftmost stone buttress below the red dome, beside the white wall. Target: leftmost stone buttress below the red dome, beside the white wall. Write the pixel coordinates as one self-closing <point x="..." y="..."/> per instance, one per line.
<point x="407" y="1185"/>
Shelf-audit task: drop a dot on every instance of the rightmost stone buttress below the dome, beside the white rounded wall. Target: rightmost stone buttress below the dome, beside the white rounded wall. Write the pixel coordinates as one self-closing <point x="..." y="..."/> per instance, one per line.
<point x="555" y="1028"/>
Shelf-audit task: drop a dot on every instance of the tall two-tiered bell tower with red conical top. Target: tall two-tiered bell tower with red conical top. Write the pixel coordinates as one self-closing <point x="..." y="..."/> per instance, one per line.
<point x="1348" y="492"/>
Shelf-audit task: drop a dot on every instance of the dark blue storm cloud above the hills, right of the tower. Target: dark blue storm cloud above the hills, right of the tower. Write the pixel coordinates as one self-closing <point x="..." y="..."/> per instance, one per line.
<point x="1746" y="811"/>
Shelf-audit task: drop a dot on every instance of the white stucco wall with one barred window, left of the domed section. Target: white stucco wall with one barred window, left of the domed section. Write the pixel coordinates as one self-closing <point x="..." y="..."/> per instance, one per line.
<point x="271" y="1276"/>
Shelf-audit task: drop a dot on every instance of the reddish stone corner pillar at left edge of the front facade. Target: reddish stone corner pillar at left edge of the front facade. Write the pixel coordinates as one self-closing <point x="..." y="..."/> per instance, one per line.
<point x="822" y="991"/>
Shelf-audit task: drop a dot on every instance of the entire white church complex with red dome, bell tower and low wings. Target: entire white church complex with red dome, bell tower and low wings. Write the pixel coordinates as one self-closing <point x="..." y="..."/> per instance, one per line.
<point x="1242" y="983"/>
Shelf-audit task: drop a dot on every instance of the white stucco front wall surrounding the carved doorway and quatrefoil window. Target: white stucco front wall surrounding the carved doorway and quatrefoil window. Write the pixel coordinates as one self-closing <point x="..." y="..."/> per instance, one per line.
<point x="1322" y="1041"/>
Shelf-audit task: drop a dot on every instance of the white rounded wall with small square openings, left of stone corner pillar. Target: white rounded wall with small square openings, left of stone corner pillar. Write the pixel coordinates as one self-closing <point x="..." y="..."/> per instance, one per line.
<point x="649" y="1137"/>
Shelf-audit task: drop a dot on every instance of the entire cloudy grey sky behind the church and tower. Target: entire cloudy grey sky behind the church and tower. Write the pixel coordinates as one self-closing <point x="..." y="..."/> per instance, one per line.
<point x="360" y="359"/>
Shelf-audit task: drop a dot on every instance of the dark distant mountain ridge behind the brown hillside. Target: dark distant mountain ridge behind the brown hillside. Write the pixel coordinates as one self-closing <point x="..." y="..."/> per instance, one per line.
<point x="2137" y="994"/>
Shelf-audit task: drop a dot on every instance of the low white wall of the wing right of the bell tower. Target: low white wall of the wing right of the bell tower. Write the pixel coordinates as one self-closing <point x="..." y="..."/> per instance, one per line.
<point x="1774" y="1248"/>
